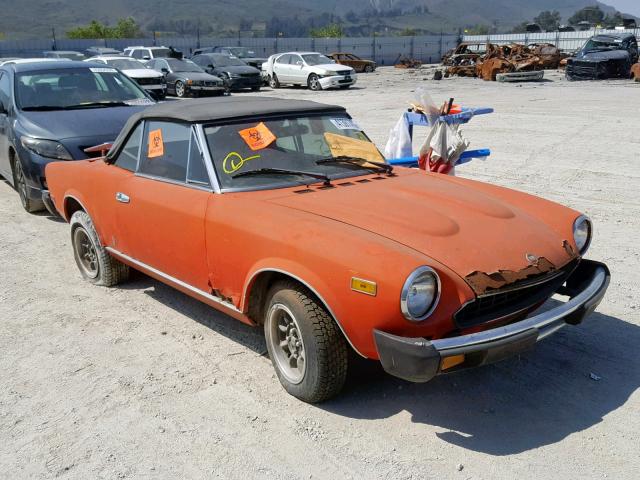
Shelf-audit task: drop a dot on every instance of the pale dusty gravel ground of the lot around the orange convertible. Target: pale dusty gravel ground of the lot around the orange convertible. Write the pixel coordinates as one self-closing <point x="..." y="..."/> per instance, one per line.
<point x="141" y="381"/>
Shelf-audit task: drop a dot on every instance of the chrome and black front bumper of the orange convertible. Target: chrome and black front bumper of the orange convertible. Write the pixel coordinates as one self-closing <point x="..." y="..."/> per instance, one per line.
<point x="419" y="360"/>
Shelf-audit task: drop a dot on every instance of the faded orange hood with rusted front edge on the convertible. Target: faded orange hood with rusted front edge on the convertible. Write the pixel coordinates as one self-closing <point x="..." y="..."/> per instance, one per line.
<point x="466" y="229"/>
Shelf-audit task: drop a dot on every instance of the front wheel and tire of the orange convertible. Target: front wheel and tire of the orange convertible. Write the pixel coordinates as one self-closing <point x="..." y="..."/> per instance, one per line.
<point x="323" y="347"/>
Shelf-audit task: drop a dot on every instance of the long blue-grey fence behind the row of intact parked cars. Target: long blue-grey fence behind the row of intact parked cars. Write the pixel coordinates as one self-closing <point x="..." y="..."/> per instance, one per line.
<point x="384" y="50"/>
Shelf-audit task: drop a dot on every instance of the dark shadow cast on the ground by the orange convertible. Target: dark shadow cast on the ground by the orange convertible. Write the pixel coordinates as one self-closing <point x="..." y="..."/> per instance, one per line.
<point x="522" y="403"/>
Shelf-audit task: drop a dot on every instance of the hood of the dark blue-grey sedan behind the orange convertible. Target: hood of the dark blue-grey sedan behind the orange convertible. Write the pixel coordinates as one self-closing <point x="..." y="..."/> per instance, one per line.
<point x="77" y="128"/>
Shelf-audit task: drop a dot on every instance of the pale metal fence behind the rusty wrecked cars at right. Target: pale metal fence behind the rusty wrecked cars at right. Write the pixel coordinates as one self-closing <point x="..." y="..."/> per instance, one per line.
<point x="565" y="41"/>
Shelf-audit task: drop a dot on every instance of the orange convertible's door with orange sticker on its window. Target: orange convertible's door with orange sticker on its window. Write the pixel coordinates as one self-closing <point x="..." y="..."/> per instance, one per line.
<point x="161" y="209"/>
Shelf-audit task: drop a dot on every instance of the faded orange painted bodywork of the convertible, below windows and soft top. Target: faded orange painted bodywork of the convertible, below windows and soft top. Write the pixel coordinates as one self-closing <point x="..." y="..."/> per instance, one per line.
<point x="378" y="230"/>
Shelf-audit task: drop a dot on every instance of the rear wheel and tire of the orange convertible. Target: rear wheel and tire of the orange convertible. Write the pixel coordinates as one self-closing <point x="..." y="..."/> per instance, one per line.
<point x="93" y="261"/>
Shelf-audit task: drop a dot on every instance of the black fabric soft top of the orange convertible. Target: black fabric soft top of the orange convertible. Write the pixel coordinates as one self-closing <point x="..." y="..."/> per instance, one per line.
<point x="220" y="109"/>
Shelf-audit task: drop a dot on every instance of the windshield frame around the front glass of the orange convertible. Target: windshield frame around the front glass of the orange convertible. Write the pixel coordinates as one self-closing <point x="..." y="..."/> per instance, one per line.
<point x="291" y="183"/>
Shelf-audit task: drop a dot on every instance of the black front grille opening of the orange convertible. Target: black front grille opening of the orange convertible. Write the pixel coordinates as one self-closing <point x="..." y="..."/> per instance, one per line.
<point x="513" y="298"/>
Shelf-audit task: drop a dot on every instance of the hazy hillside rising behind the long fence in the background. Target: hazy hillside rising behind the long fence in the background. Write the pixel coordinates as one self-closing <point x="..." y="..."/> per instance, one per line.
<point x="35" y="18"/>
